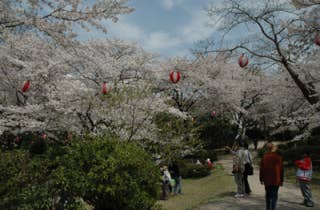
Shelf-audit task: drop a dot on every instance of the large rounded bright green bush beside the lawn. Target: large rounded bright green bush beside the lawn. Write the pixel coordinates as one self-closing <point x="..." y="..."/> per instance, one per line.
<point x="111" y="175"/>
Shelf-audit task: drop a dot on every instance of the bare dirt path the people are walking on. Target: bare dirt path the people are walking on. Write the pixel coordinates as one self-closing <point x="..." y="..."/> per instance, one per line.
<point x="289" y="195"/>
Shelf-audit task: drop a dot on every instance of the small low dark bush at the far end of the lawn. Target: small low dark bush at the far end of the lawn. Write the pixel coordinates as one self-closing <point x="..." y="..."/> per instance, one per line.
<point x="192" y="170"/>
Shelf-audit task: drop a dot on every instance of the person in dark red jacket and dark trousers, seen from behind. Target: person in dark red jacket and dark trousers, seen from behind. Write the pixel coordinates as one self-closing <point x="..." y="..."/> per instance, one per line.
<point x="271" y="175"/>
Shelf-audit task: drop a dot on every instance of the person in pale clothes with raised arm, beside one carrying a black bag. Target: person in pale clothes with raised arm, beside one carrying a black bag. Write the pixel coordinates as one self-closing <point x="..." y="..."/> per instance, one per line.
<point x="238" y="168"/>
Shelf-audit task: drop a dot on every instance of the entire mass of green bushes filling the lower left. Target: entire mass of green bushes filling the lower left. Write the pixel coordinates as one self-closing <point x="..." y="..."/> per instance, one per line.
<point x="103" y="172"/>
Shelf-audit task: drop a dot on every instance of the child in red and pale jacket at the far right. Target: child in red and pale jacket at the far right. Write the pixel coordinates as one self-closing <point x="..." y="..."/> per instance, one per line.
<point x="304" y="175"/>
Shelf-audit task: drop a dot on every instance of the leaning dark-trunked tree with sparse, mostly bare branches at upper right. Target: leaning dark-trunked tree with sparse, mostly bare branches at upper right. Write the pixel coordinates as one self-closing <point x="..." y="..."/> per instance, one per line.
<point x="270" y="40"/>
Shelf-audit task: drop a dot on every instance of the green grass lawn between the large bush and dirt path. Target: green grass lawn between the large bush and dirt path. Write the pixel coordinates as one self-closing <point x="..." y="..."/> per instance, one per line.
<point x="200" y="191"/>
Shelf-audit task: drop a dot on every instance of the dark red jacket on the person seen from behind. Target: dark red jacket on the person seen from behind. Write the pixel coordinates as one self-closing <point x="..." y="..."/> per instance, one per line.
<point x="271" y="170"/>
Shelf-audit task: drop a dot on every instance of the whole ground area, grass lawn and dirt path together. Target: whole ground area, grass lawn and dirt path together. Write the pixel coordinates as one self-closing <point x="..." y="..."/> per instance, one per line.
<point x="216" y="192"/>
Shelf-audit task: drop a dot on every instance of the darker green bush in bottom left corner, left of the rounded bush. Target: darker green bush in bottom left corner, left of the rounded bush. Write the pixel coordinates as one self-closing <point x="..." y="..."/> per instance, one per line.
<point x="26" y="181"/>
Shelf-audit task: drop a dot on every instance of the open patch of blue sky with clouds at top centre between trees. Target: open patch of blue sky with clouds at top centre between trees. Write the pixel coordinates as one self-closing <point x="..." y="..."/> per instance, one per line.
<point x="167" y="27"/>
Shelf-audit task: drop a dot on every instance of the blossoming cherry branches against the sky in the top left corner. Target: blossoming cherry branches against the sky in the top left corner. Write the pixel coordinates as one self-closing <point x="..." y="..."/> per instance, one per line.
<point x="57" y="20"/>
